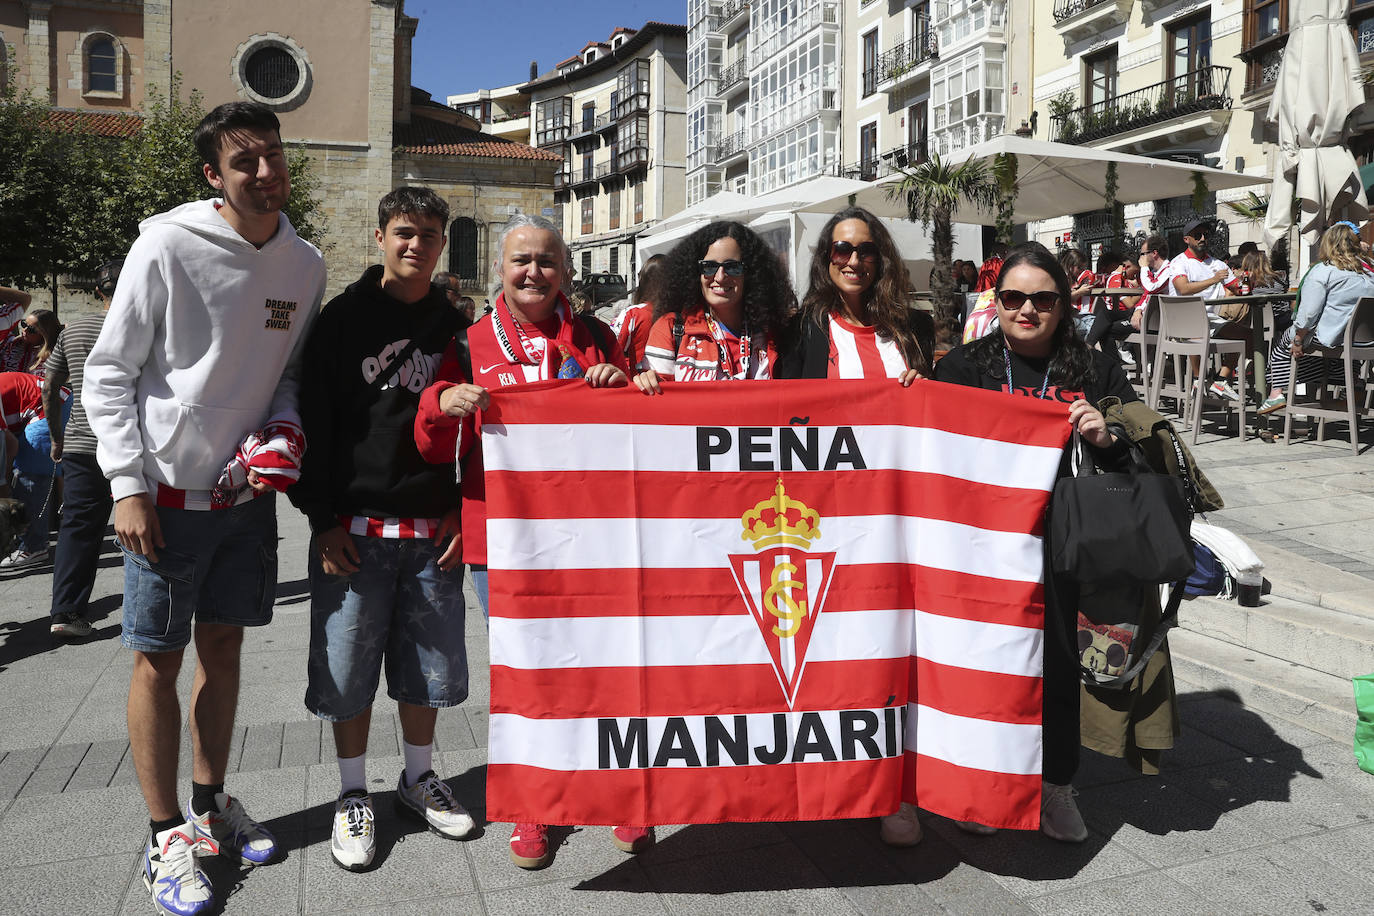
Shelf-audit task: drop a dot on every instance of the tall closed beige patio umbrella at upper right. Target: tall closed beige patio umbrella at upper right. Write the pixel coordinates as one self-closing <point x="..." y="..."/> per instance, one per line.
<point x="1317" y="90"/>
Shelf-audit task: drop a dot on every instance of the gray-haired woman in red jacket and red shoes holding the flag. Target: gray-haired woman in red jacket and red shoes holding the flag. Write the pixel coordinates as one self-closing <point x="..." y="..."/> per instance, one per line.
<point x="531" y="336"/>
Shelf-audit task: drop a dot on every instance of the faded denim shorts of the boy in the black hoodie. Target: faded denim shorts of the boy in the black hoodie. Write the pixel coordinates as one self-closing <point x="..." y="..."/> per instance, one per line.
<point x="401" y="609"/>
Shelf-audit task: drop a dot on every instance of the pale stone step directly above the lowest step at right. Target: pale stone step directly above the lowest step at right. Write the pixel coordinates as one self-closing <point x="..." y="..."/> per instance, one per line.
<point x="1328" y="641"/>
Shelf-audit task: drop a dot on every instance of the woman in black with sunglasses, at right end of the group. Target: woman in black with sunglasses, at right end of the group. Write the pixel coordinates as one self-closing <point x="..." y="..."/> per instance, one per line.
<point x="1035" y="351"/>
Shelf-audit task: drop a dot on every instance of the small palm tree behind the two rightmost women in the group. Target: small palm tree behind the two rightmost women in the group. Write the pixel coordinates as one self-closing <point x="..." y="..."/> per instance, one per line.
<point x="934" y="192"/>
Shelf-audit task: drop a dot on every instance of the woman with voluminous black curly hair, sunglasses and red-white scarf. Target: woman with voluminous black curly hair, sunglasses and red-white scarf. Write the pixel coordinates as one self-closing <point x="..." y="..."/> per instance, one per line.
<point x="725" y="301"/>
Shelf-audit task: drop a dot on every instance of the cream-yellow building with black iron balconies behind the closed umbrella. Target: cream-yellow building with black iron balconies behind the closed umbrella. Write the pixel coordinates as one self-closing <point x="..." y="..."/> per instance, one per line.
<point x="1188" y="82"/>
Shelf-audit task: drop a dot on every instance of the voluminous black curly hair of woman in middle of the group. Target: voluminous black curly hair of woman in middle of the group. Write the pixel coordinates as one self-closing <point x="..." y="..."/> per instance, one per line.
<point x="769" y="299"/>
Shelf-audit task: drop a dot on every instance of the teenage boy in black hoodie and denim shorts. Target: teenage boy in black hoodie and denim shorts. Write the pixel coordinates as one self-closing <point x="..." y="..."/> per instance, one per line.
<point x="387" y="573"/>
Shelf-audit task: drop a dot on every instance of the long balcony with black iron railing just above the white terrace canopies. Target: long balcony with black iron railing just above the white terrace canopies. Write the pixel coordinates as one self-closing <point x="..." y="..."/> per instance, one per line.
<point x="1186" y="108"/>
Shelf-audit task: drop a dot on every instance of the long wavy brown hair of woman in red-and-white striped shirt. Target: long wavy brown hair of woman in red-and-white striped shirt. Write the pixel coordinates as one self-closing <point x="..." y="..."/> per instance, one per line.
<point x="887" y="299"/>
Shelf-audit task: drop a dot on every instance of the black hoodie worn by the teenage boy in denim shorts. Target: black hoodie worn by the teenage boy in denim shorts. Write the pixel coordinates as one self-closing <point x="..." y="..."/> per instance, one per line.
<point x="361" y="455"/>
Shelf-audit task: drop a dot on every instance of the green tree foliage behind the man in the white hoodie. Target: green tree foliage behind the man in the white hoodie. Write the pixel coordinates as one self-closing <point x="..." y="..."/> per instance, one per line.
<point x="71" y="200"/>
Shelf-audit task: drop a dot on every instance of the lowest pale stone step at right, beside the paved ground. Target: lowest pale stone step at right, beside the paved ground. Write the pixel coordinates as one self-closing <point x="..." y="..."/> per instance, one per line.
<point x="1313" y="700"/>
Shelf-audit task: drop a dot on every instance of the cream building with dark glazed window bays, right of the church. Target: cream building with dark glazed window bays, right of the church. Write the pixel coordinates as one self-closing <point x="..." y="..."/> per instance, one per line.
<point x="616" y="113"/>
